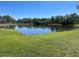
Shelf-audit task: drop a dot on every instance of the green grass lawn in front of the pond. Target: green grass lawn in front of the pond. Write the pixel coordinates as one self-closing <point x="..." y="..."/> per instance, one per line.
<point x="52" y="44"/>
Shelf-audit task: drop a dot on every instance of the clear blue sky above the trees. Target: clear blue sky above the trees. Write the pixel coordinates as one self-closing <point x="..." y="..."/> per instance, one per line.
<point x="37" y="9"/>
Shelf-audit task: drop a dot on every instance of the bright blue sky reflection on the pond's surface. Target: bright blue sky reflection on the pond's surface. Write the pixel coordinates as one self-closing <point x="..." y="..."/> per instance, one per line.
<point x="32" y="30"/>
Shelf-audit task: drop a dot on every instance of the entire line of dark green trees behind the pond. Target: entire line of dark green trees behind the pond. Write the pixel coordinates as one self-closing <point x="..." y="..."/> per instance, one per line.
<point x="68" y="19"/>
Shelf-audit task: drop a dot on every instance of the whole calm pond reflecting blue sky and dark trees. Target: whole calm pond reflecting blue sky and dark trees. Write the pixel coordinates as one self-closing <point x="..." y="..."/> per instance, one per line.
<point x="34" y="30"/>
